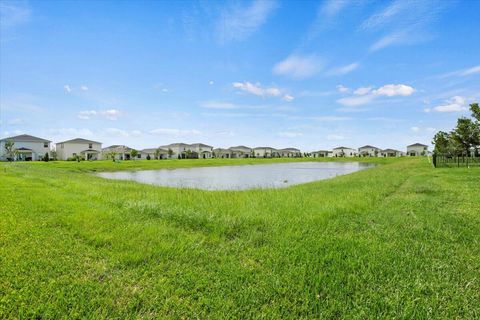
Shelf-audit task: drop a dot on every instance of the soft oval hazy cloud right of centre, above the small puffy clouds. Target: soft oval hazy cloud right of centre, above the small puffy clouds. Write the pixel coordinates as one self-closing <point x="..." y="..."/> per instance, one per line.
<point x="298" y="67"/>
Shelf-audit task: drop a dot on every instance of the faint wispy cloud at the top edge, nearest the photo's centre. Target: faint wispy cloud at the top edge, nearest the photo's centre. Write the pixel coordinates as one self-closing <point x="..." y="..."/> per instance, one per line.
<point x="238" y="23"/>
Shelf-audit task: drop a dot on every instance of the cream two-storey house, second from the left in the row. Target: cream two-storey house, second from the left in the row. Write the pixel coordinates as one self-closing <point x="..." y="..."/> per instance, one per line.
<point x="85" y="149"/>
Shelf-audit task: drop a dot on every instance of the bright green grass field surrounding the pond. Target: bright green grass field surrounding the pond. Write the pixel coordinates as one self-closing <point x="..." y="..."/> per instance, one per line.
<point x="401" y="240"/>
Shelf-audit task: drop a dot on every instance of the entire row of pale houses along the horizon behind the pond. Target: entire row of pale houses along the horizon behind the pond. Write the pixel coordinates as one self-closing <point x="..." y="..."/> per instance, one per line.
<point x="27" y="147"/>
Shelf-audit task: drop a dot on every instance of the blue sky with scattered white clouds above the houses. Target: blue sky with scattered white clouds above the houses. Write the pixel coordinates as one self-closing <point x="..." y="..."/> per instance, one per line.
<point x="309" y="74"/>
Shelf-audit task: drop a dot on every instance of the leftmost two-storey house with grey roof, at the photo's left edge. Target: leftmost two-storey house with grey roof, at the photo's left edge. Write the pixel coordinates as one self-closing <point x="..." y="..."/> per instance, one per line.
<point x="27" y="147"/>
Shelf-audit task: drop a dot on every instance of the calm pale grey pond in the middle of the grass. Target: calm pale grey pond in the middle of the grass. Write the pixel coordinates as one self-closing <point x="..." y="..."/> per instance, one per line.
<point x="278" y="175"/>
